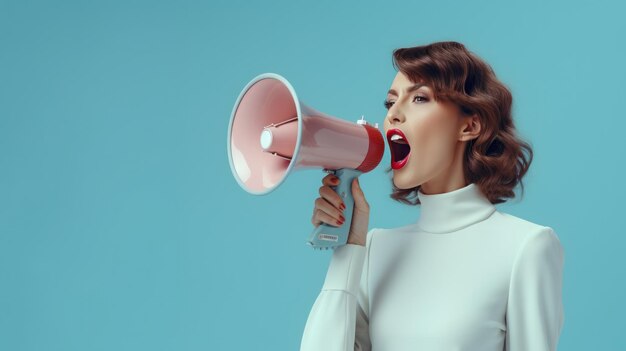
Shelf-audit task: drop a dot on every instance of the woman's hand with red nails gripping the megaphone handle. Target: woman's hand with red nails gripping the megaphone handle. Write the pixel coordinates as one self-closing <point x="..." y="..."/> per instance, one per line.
<point x="329" y="209"/>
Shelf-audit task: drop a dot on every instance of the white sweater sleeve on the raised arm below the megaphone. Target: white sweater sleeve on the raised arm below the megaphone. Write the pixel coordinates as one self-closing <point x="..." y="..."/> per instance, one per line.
<point x="339" y="320"/>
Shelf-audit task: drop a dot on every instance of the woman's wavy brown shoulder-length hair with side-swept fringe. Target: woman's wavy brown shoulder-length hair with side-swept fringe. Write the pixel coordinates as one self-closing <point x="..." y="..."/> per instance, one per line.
<point x="497" y="159"/>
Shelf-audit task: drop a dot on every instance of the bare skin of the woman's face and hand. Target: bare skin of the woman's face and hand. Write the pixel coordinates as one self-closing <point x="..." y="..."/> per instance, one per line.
<point x="437" y="133"/>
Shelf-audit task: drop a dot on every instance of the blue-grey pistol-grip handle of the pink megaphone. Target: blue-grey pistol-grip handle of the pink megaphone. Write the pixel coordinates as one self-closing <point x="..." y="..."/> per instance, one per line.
<point x="327" y="236"/>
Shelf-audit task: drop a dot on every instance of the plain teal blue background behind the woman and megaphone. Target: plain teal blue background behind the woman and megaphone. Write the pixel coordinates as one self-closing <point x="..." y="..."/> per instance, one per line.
<point x="121" y="227"/>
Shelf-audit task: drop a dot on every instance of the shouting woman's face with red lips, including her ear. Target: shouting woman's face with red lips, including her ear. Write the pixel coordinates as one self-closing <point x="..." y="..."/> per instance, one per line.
<point x="426" y="136"/>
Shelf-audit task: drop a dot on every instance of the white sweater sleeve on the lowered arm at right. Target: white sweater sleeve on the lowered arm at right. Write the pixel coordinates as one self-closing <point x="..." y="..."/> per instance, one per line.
<point x="534" y="312"/>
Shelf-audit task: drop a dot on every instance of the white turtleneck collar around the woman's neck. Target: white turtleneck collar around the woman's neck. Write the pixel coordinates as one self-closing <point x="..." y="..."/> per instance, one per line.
<point x="451" y="211"/>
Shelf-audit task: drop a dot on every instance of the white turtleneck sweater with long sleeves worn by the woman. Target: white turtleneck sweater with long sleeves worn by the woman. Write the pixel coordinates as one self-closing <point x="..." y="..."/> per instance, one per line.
<point x="463" y="277"/>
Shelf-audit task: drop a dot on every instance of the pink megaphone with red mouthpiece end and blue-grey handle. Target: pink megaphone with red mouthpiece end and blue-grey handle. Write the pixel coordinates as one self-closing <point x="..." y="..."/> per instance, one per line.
<point x="272" y="133"/>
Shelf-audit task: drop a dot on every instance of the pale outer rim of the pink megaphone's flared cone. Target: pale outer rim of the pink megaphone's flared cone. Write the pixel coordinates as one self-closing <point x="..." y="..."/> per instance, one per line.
<point x="232" y="119"/>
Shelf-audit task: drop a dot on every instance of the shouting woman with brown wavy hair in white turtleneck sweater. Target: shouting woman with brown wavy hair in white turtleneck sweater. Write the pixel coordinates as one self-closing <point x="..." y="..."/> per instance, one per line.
<point x="464" y="276"/>
